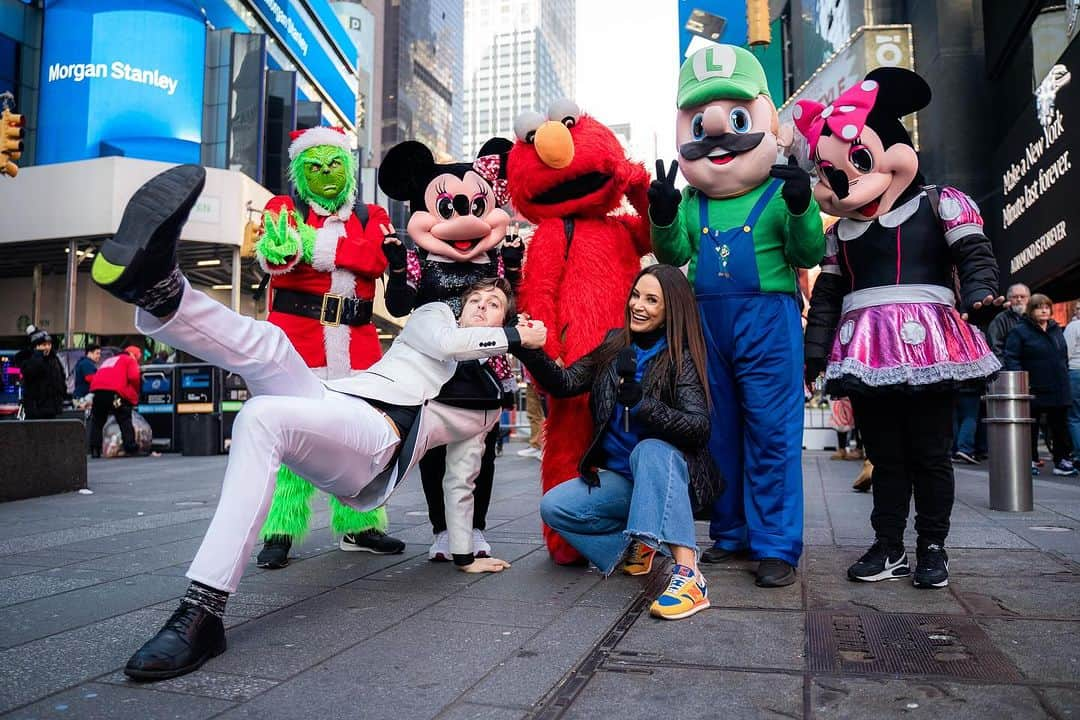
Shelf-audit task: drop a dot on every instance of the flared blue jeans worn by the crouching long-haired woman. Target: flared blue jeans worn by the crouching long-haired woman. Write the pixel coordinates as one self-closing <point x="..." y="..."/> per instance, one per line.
<point x="654" y="508"/>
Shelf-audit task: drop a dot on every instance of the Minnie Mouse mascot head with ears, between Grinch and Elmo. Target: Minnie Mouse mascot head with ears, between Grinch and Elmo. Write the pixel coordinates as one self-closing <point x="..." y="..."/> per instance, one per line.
<point x="455" y="208"/>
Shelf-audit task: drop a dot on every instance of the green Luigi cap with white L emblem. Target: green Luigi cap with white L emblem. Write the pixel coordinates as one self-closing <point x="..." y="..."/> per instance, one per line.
<point x="720" y="73"/>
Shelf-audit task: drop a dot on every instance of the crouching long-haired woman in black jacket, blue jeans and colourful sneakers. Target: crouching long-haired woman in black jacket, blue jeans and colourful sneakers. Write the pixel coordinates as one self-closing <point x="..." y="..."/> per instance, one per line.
<point x="647" y="469"/>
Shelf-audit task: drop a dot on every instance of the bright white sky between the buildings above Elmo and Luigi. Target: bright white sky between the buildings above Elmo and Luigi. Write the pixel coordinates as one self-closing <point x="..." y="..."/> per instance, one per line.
<point x="628" y="70"/>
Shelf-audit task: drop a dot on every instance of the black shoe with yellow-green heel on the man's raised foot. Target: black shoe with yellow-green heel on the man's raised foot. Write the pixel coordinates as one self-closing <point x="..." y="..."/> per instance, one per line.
<point x="139" y="264"/>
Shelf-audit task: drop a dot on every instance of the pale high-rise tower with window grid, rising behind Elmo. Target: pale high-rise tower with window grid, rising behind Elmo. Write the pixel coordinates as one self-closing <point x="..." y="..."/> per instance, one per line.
<point x="519" y="56"/>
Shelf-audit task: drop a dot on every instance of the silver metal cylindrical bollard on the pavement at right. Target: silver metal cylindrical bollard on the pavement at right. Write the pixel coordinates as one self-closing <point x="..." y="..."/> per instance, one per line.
<point x="1009" y="439"/>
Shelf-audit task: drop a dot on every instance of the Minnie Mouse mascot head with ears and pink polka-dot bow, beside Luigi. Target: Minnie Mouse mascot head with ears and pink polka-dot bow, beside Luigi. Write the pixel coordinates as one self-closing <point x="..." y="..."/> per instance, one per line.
<point x="865" y="157"/>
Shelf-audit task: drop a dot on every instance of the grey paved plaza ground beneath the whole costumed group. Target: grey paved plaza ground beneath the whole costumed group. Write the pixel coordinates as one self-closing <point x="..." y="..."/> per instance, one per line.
<point x="85" y="580"/>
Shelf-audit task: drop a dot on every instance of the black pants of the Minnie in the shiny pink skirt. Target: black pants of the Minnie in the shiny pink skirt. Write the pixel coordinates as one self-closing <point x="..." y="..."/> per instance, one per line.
<point x="909" y="438"/>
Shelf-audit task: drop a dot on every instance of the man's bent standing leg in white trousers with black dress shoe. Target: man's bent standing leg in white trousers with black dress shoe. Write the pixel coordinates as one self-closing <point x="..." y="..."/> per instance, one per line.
<point x="339" y="442"/>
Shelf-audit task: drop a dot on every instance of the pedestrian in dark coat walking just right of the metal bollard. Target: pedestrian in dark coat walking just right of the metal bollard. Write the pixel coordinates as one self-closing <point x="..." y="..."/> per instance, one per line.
<point x="1037" y="345"/>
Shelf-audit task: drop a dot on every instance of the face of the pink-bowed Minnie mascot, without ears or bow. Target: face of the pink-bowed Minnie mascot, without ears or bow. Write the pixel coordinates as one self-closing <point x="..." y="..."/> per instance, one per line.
<point x="860" y="180"/>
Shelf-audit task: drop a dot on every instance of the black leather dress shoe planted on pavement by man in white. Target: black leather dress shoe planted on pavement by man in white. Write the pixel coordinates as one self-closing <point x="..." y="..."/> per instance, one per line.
<point x="187" y="641"/>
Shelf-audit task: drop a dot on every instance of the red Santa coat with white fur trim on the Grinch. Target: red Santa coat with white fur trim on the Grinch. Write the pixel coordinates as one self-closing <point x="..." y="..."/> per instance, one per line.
<point x="347" y="261"/>
